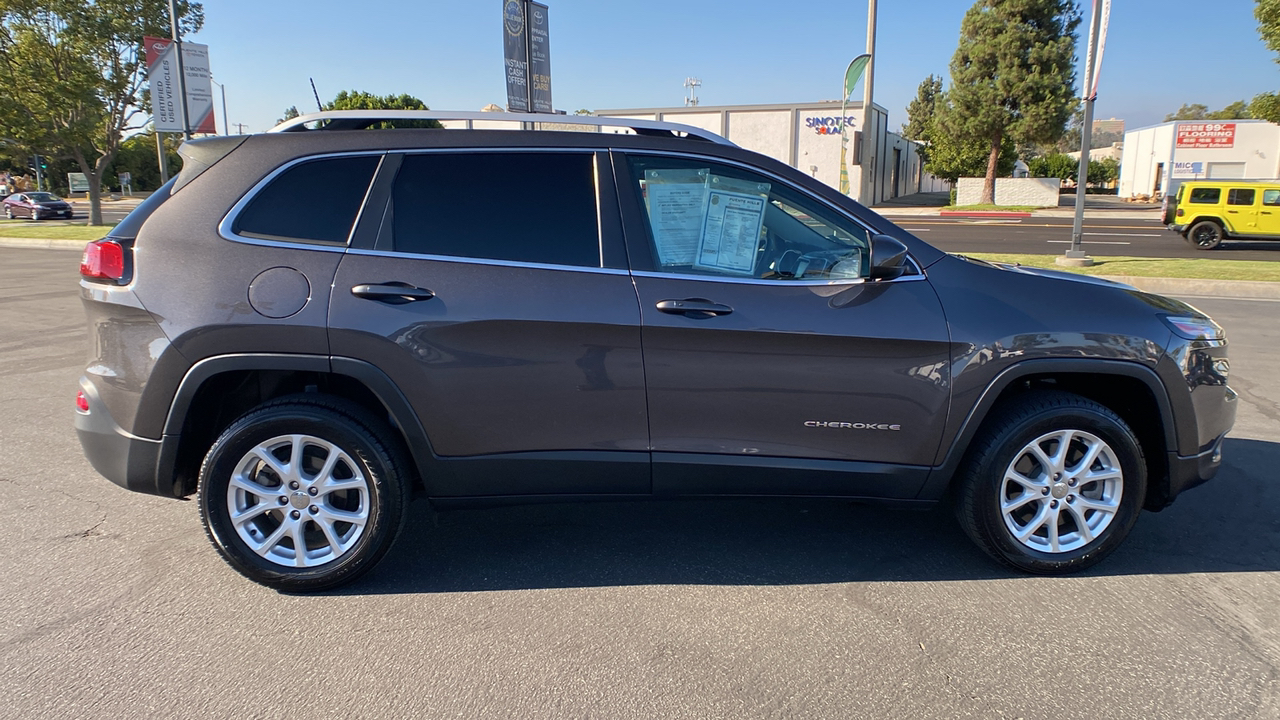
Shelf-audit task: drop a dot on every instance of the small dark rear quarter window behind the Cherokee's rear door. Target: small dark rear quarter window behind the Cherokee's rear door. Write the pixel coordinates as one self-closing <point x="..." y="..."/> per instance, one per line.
<point x="313" y="202"/>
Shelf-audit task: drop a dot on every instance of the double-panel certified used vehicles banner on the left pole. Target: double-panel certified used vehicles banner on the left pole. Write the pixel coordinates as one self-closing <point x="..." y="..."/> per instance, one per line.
<point x="162" y="57"/>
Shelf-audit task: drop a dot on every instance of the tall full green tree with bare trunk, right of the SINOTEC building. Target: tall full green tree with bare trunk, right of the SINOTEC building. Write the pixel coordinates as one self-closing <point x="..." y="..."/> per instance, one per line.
<point x="1013" y="76"/>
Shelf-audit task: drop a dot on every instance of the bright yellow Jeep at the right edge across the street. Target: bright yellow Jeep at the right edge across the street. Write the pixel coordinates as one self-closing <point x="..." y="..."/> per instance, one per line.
<point x="1208" y="213"/>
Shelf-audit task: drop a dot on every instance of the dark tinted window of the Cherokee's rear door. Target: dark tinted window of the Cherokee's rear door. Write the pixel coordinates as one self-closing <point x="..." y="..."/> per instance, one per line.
<point x="518" y="207"/>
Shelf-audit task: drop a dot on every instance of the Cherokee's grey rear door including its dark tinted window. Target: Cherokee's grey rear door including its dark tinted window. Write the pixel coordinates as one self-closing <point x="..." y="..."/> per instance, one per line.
<point x="496" y="297"/>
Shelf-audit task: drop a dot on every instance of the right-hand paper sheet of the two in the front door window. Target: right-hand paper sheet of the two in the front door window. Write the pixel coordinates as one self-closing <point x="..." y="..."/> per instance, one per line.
<point x="732" y="226"/>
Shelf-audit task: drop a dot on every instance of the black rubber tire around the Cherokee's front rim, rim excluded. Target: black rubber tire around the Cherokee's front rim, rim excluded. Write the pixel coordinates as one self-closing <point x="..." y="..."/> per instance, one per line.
<point x="1128" y="454"/>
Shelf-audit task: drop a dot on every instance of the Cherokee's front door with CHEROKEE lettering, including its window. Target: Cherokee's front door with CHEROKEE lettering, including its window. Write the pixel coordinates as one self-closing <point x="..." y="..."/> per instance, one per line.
<point x="764" y="340"/>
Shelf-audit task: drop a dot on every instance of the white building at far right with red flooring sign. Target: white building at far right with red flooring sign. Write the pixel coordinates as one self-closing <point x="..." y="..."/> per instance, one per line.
<point x="1156" y="160"/>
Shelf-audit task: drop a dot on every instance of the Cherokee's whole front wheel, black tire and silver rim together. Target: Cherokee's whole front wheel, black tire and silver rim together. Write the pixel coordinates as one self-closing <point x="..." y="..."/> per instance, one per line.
<point x="1004" y="446"/>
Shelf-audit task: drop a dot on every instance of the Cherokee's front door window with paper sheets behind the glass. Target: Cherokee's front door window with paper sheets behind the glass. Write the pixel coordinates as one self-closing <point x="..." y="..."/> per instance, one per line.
<point x="720" y="221"/>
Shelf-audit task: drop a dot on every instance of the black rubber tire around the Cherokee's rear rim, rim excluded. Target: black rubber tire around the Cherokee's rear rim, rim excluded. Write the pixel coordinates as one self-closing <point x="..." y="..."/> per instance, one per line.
<point x="257" y="429"/>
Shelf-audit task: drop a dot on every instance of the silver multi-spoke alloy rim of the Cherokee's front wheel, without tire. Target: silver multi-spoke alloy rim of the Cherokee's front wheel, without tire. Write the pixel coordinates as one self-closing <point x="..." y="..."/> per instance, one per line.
<point x="1062" y="491"/>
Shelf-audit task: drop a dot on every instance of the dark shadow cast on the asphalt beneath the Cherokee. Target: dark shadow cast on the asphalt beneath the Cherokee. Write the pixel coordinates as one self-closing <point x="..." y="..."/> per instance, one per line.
<point x="1232" y="525"/>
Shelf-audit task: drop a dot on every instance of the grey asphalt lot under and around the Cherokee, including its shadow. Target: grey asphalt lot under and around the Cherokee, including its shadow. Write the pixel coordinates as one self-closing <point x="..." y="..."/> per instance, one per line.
<point x="116" y="605"/>
